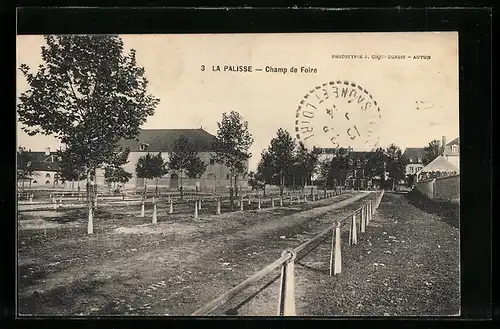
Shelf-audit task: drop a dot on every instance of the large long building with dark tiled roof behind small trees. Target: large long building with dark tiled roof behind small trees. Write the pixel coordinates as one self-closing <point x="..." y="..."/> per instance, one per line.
<point x="162" y="141"/>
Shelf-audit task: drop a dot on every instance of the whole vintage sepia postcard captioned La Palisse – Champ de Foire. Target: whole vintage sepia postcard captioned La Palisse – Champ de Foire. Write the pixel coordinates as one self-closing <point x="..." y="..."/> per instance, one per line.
<point x="301" y="174"/>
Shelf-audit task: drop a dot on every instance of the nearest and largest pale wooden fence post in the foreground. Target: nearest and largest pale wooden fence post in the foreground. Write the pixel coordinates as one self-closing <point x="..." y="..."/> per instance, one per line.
<point x="286" y="300"/>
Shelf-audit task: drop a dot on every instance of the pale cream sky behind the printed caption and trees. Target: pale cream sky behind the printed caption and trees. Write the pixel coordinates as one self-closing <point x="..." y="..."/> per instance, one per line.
<point x="191" y="98"/>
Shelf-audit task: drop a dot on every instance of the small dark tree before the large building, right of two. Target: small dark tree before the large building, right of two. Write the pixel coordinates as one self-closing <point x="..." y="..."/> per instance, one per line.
<point x="184" y="158"/>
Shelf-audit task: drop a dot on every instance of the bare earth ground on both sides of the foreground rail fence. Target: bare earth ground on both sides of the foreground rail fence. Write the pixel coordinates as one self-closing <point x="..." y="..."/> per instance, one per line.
<point x="405" y="264"/>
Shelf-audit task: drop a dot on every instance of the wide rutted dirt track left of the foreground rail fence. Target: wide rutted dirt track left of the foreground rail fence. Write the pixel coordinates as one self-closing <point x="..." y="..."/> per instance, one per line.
<point x="172" y="271"/>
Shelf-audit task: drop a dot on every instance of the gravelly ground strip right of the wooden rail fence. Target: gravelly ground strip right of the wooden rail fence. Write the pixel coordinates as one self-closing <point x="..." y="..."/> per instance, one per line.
<point x="407" y="264"/>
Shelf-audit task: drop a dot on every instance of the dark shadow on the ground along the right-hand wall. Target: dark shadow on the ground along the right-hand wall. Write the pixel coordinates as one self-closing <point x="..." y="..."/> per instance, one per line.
<point x="448" y="211"/>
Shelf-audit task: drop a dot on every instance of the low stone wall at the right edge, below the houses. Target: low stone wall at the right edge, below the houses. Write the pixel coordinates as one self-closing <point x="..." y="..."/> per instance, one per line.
<point x="442" y="188"/>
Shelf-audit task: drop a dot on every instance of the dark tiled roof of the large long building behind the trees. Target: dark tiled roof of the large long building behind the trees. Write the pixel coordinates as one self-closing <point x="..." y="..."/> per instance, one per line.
<point x="162" y="140"/>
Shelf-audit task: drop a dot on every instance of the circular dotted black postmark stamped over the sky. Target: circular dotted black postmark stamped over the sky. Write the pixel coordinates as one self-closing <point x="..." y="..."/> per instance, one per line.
<point x="338" y="114"/>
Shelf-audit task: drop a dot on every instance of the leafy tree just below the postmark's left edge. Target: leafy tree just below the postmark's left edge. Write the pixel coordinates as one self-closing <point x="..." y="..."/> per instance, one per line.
<point x="280" y="156"/>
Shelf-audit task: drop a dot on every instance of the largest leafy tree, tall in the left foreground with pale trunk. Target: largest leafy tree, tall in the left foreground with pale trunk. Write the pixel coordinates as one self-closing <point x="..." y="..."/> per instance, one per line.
<point x="88" y="94"/>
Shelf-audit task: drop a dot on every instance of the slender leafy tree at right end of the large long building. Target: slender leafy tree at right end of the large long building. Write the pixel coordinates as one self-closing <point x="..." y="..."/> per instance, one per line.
<point x="231" y="146"/>
